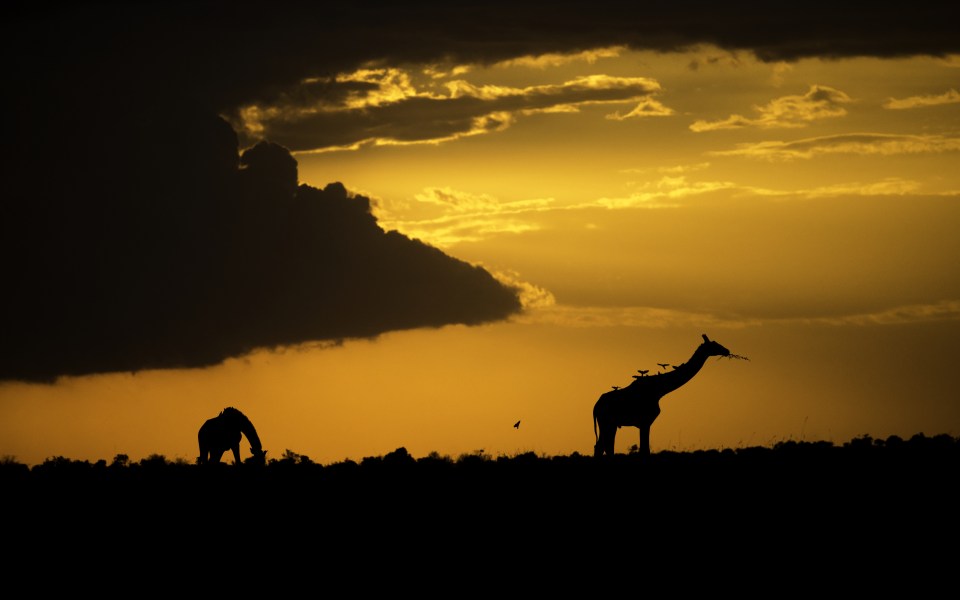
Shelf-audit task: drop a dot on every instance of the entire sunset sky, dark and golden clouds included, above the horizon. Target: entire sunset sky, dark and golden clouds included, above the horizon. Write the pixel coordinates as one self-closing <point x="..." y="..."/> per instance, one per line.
<point x="412" y="227"/>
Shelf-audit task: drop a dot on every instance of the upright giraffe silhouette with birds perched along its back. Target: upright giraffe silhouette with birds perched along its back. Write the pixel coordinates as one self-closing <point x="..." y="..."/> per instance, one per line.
<point x="638" y="404"/>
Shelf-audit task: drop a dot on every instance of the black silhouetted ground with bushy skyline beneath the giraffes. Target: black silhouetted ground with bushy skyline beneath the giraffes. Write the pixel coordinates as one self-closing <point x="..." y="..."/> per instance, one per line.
<point x="803" y="513"/>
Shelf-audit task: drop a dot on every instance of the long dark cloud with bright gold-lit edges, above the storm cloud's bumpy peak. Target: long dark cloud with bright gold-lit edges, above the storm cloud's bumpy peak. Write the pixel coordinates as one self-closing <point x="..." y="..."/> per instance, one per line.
<point x="392" y="110"/>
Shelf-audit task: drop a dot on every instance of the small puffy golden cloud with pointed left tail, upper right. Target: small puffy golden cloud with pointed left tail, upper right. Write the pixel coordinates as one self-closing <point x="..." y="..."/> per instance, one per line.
<point x="819" y="102"/>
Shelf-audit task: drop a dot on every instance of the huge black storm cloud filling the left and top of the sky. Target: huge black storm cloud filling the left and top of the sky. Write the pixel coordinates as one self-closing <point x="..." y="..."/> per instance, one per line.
<point x="134" y="235"/>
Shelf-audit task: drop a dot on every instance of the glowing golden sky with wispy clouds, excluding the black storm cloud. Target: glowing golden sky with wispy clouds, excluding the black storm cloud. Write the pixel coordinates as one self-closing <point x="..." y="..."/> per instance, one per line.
<point x="802" y="212"/>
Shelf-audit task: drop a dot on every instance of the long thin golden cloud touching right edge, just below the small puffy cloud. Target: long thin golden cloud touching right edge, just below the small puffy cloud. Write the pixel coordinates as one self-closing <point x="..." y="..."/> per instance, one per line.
<point x="854" y="143"/>
